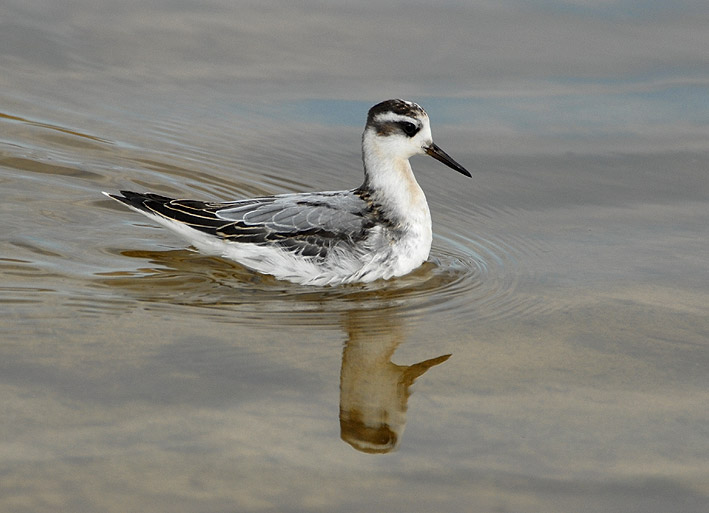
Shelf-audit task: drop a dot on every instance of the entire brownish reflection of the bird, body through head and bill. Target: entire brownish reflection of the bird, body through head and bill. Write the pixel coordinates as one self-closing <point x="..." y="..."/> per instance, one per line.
<point x="374" y="391"/>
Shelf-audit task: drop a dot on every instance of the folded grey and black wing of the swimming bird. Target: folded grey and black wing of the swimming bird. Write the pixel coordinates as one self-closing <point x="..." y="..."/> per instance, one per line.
<point x="308" y="224"/>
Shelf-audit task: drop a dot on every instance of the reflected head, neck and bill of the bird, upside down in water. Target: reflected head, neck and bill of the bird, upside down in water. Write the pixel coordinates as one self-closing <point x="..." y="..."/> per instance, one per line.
<point x="374" y="391"/>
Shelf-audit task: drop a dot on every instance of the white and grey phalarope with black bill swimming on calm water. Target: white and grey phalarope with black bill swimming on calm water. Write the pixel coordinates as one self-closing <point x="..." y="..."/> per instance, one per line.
<point x="381" y="229"/>
